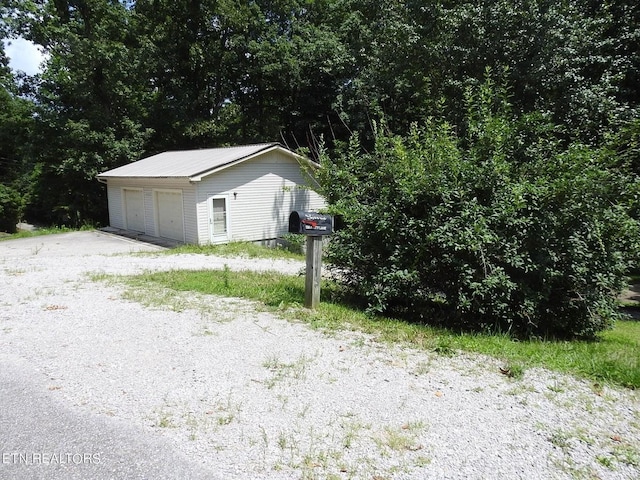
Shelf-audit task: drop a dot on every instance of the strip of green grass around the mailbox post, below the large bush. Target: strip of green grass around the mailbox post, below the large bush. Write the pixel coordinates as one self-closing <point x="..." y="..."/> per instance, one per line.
<point x="613" y="358"/>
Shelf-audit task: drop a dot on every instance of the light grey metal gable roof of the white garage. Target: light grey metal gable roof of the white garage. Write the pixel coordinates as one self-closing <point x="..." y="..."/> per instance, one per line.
<point x="194" y="164"/>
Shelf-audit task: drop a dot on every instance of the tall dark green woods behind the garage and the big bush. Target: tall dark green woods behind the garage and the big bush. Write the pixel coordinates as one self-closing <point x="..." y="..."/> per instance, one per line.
<point x="127" y="79"/>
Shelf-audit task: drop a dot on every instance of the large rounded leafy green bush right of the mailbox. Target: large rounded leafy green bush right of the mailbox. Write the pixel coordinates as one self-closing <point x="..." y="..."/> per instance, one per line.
<point x="483" y="231"/>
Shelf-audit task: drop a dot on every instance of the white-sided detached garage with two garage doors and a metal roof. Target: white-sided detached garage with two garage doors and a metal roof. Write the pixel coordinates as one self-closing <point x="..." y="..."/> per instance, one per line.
<point x="212" y="195"/>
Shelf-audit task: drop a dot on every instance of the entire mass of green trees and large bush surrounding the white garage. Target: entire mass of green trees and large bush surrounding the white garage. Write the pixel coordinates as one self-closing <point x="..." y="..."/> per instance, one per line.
<point x="498" y="128"/>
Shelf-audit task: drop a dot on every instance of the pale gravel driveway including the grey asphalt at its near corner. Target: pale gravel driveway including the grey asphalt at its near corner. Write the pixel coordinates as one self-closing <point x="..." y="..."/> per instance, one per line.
<point x="95" y="386"/>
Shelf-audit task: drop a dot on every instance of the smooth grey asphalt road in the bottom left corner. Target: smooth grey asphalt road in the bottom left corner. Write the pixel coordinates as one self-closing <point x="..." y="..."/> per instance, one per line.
<point x="41" y="438"/>
